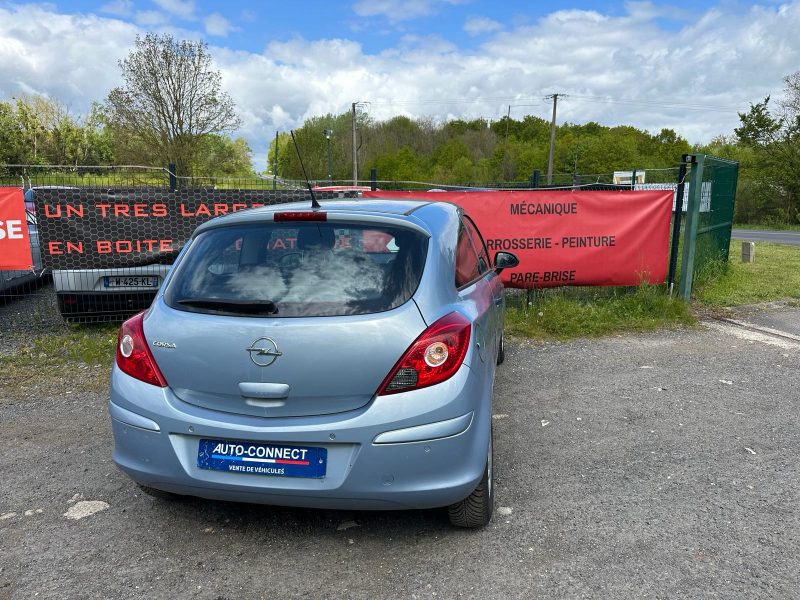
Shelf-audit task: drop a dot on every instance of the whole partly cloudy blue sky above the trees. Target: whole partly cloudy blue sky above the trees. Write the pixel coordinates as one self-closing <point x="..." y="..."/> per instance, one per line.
<point x="680" y="65"/>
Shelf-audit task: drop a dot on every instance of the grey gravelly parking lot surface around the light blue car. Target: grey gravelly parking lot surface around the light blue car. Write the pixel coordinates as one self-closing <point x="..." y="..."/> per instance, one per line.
<point x="649" y="466"/>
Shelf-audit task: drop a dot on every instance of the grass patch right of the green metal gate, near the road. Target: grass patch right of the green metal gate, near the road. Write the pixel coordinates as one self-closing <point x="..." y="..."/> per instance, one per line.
<point x="775" y="275"/>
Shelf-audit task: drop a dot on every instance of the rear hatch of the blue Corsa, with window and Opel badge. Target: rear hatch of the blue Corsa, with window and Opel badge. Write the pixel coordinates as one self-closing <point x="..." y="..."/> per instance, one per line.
<point x="288" y="319"/>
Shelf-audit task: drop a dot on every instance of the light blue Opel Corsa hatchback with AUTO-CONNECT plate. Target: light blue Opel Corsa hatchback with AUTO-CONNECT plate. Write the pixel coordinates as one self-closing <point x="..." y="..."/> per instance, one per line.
<point x="340" y="357"/>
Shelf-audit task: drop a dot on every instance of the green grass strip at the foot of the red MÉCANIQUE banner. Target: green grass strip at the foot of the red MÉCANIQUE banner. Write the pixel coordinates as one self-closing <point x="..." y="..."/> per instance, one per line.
<point x="591" y="312"/>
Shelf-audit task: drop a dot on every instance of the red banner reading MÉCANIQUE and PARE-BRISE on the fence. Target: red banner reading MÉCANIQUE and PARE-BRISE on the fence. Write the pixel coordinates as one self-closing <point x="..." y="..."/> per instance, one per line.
<point x="569" y="237"/>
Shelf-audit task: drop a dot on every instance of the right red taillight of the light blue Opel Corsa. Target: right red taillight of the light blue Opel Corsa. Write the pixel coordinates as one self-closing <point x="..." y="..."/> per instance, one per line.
<point x="433" y="357"/>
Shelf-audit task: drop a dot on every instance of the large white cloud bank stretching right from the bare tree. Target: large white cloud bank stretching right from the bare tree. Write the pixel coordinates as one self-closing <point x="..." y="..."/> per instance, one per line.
<point x="721" y="60"/>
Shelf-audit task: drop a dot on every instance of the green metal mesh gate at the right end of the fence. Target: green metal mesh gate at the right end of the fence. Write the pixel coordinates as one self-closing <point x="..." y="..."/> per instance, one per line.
<point x="709" y="217"/>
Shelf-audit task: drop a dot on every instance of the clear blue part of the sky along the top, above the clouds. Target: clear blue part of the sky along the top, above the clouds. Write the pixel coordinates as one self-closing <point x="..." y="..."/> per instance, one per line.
<point x="377" y="25"/>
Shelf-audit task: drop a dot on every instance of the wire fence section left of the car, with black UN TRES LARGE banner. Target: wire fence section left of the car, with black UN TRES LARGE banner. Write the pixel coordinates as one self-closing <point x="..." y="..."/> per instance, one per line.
<point x="103" y="238"/>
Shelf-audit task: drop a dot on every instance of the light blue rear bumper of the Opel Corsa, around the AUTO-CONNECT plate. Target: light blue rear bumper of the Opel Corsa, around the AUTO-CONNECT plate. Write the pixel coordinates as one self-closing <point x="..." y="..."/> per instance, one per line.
<point x="361" y="474"/>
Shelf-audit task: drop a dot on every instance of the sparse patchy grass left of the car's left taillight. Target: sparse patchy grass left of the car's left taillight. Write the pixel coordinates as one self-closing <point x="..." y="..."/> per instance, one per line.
<point x="78" y="358"/>
